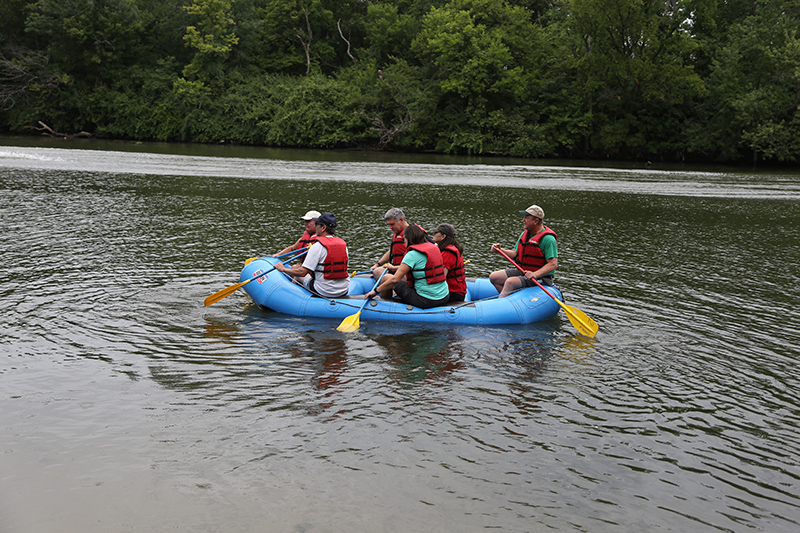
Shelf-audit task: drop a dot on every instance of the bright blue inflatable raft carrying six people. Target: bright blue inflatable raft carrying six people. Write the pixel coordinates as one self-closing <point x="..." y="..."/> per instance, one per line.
<point x="276" y="291"/>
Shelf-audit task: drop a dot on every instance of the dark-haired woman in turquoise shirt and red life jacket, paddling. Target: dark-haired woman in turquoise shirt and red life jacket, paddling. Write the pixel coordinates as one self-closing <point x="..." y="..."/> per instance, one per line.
<point x="422" y="267"/>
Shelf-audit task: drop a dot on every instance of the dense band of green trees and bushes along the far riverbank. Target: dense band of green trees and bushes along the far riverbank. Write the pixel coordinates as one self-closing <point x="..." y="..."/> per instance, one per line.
<point x="624" y="79"/>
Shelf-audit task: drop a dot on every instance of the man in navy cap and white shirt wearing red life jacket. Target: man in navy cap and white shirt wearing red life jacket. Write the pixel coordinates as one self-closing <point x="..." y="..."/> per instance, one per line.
<point x="324" y="269"/>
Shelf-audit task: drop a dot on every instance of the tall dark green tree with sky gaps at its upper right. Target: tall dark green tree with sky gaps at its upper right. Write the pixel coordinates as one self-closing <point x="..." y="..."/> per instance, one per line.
<point x="631" y="65"/>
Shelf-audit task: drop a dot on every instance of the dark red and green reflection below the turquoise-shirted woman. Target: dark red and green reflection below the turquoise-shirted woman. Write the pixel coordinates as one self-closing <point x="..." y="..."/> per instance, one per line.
<point x="423" y="356"/>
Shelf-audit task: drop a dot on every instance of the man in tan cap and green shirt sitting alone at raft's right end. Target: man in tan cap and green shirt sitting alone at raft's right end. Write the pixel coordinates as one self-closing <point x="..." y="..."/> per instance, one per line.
<point x="536" y="251"/>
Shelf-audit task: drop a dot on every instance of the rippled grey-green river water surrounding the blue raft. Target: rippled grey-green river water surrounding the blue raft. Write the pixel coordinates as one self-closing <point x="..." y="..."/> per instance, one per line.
<point x="129" y="406"/>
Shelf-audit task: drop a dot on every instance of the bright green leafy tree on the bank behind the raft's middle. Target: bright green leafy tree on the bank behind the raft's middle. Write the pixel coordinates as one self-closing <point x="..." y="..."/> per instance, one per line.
<point x="483" y="54"/>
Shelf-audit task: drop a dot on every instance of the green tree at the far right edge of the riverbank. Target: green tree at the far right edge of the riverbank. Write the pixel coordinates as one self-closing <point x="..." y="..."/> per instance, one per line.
<point x="755" y="87"/>
